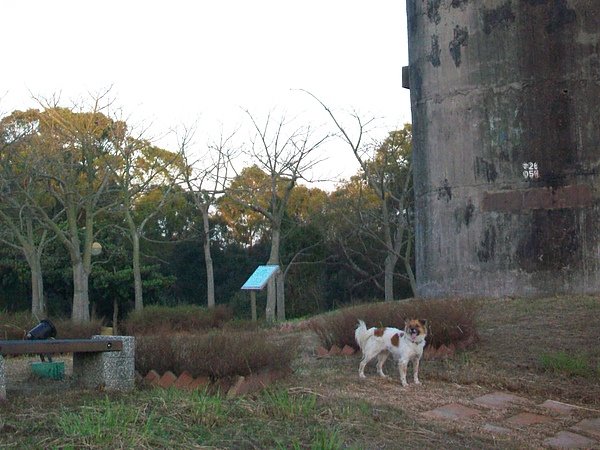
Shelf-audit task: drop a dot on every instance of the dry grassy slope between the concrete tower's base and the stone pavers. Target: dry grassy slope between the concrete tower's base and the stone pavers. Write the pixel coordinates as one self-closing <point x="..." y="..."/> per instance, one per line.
<point x="515" y="334"/>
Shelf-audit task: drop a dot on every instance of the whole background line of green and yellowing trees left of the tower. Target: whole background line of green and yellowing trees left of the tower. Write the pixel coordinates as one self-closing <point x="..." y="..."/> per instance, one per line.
<point x="66" y="170"/>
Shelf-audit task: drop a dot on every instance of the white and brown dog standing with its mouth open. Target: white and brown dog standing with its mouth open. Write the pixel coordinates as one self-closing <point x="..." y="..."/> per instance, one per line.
<point x="404" y="345"/>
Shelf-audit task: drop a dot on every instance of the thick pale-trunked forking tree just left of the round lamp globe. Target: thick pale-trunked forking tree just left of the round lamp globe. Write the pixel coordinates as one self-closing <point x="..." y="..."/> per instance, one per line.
<point x="66" y="154"/>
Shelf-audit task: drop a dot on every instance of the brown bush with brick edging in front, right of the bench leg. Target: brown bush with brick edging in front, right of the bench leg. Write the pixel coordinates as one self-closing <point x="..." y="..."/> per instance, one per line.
<point x="216" y="354"/>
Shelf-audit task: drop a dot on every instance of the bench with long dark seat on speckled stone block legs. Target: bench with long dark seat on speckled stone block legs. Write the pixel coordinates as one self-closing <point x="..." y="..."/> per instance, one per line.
<point x="102" y="361"/>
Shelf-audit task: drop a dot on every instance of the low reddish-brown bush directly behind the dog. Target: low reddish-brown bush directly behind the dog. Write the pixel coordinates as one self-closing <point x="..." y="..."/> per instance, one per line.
<point x="449" y="321"/>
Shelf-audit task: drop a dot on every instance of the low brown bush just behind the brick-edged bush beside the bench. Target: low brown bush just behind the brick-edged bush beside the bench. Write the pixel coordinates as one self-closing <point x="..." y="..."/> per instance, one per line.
<point x="155" y="319"/>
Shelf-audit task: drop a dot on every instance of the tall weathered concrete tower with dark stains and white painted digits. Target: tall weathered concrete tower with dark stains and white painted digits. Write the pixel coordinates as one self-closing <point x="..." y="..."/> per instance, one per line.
<point x="506" y="139"/>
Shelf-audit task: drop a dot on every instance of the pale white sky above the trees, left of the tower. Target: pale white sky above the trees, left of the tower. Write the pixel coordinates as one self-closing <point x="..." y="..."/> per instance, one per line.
<point x="171" y="64"/>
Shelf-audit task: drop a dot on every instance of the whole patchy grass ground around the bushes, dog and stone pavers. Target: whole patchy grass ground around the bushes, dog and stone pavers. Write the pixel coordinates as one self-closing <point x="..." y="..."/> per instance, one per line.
<point x="324" y="401"/>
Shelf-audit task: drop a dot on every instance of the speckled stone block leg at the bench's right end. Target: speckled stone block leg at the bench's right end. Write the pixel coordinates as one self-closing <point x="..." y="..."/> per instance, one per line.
<point x="113" y="371"/>
